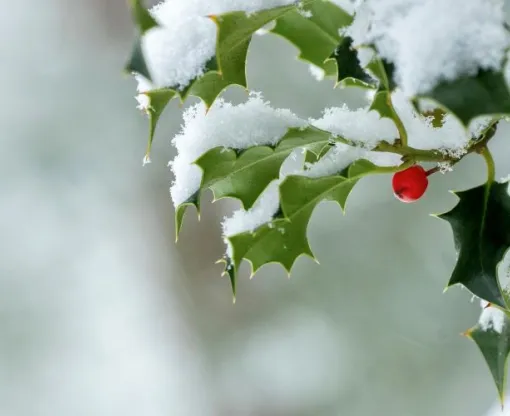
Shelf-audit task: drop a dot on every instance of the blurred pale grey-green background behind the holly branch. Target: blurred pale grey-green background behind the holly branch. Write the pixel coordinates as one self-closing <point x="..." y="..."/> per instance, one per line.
<point x="102" y="314"/>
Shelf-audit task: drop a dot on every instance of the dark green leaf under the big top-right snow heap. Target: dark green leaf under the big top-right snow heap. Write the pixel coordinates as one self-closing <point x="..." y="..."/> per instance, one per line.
<point x="467" y="97"/>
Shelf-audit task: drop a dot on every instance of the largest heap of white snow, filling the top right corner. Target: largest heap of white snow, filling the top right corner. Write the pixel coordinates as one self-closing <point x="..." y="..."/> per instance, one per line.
<point x="431" y="41"/>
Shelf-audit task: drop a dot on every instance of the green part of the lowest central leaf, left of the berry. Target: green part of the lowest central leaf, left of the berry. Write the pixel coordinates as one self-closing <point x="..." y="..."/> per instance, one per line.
<point x="284" y="240"/>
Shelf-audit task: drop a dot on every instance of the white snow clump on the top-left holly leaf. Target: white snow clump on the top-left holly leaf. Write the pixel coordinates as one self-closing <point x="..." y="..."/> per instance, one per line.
<point x="178" y="50"/>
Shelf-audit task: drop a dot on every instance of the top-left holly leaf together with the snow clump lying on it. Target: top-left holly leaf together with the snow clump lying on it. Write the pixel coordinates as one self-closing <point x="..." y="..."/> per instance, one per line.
<point x="180" y="52"/>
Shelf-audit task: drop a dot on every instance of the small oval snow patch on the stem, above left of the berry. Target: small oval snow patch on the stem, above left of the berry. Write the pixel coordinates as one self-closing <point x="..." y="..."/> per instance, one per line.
<point x="361" y="126"/>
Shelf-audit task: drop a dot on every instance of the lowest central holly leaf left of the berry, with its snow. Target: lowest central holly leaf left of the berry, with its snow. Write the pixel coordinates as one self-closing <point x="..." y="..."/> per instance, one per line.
<point x="280" y="235"/>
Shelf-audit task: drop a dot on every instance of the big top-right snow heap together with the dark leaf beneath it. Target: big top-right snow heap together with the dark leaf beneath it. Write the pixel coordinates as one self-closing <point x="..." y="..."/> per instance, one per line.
<point x="465" y="74"/>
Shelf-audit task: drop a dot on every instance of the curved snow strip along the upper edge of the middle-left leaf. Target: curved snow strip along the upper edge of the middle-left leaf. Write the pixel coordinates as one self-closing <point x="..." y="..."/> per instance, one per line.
<point x="252" y="123"/>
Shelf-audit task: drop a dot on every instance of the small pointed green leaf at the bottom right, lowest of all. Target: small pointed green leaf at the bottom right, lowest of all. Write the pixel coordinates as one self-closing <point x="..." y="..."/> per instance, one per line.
<point x="494" y="344"/>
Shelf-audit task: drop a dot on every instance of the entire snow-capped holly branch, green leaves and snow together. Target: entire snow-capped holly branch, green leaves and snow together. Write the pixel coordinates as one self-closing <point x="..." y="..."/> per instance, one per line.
<point x="436" y="84"/>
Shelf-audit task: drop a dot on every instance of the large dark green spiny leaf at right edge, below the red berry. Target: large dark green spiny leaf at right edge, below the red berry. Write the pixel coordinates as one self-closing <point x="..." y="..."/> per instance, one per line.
<point x="481" y="228"/>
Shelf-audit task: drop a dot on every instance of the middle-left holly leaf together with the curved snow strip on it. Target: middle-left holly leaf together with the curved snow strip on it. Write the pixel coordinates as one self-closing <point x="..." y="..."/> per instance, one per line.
<point x="228" y="129"/>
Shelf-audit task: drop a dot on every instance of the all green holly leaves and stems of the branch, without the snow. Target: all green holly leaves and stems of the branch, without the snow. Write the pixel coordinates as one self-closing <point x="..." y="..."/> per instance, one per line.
<point x="480" y="221"/>
